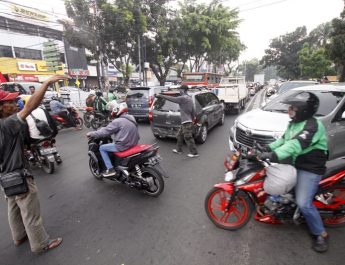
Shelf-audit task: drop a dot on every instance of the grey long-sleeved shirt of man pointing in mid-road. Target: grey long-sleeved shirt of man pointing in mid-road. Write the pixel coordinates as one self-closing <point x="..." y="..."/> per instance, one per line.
<point x="186" y="106"/>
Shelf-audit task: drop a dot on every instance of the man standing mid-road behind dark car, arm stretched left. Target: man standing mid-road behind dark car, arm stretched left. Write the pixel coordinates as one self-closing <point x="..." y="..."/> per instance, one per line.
<point x="187" y="116"/>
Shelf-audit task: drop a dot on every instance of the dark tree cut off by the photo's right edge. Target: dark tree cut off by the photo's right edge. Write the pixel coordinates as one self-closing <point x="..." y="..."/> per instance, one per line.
<point x="336" y="48"/>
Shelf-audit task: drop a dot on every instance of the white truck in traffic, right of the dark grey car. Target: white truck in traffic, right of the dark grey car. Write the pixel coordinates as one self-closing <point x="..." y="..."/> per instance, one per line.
<point x="233" y="93"/>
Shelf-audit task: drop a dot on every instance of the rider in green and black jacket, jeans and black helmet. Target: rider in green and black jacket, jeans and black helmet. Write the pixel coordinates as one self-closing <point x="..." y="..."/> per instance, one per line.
<point x="305" y="143"/>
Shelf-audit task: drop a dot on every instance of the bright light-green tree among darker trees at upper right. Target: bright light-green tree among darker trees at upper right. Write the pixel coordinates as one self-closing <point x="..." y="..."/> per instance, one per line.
<point x="313" y="62"/>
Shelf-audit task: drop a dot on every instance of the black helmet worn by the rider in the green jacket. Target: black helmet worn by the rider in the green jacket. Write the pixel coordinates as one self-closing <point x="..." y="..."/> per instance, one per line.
<point x="306" y="104"/>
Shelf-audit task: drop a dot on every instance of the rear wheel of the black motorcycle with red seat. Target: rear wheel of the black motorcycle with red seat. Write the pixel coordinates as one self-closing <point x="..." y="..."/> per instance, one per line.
<point x="157" y="183"/>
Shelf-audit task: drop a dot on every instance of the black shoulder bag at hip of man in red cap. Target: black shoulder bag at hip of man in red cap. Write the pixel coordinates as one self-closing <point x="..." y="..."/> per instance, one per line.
<point x="14" y="183"/>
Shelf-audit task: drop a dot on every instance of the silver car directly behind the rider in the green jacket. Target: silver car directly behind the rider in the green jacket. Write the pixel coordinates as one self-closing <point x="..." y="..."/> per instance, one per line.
<point x="266" y="124"/>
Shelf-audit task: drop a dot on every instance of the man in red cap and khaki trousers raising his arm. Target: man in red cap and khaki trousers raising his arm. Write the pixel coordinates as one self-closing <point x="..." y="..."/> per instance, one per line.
<point x="23" y="210"/>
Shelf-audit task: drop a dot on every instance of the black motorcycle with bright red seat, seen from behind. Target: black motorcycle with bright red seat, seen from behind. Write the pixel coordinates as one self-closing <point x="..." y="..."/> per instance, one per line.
<point x="138" y="168"/>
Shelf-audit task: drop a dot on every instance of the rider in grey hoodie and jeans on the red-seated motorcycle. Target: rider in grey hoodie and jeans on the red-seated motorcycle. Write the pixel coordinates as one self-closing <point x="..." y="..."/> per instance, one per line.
<point x="124" y="131"/>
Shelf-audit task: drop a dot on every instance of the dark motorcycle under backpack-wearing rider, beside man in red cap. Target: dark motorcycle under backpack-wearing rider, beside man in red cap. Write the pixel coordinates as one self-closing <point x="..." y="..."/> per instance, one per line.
<point x="43" y="154"/>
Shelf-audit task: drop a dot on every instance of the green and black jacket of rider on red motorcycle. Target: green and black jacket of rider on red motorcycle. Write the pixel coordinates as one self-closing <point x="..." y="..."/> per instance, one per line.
<point x="306" y="143"/>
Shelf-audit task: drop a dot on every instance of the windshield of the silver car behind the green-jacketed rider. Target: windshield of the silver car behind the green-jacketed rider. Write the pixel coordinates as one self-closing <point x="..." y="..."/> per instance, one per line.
<point x="328" y="101"/>
